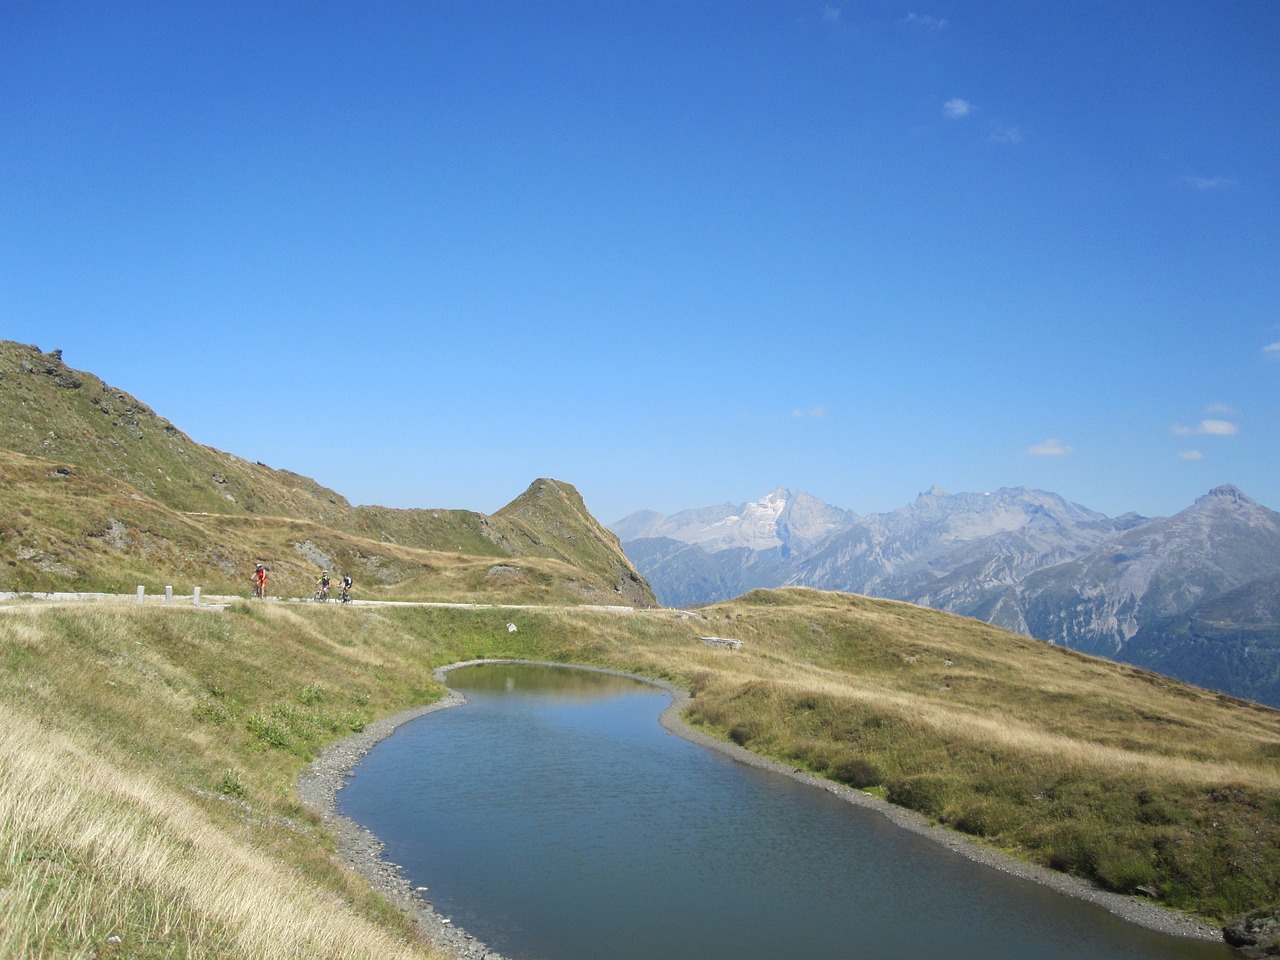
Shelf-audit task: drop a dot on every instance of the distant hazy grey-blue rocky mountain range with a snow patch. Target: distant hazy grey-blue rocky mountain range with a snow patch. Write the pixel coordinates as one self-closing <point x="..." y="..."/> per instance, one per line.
<point x="1195" y="596"/>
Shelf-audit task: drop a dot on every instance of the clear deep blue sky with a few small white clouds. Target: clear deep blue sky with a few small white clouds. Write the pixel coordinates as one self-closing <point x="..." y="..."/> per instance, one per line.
<point x="674" y="254"/>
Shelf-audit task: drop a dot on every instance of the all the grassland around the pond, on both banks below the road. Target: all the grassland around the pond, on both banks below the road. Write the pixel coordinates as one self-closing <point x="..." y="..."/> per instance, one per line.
<point x="152" y="753"/>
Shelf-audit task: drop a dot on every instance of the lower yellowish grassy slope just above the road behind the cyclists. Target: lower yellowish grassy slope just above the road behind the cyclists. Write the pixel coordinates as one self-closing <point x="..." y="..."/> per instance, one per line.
<point x="70" y="528"/>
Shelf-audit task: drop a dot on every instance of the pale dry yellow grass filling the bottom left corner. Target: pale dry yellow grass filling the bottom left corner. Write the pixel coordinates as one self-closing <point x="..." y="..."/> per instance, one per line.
<point x="97" y="858"/>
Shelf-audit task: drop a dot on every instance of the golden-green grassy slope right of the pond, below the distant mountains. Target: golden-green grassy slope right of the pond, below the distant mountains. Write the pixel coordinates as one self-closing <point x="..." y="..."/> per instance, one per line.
<point x="1137" y="783"/>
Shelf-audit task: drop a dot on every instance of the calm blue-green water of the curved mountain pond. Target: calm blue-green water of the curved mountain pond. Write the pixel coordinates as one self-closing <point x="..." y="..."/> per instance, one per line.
<point x="554" y="819"/>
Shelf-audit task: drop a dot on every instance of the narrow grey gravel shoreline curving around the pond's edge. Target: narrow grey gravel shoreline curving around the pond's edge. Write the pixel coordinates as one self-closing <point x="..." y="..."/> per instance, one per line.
<point x="319" y="787"/>
